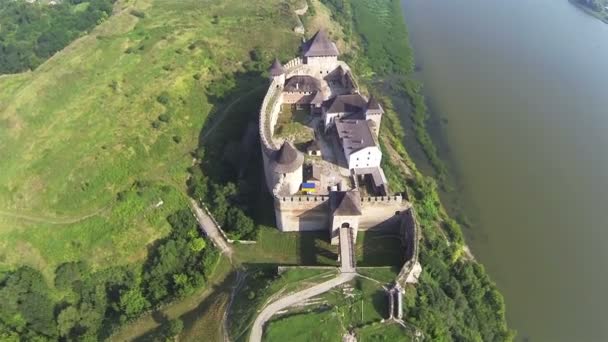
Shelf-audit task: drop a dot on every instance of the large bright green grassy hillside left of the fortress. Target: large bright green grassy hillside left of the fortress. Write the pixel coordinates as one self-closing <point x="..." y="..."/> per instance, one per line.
<point x="77" y="131"/>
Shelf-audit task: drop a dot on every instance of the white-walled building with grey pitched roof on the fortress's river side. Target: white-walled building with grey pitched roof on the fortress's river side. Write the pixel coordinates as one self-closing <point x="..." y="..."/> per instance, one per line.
<point x="360" y="145"/>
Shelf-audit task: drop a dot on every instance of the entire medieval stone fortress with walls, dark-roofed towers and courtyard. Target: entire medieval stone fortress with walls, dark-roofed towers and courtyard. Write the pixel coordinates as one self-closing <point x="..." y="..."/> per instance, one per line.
<point x="333" y="180"/>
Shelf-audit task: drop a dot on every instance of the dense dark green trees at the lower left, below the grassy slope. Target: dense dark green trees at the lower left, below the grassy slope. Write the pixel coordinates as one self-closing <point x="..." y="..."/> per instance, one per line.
<point x="86" y="304"/>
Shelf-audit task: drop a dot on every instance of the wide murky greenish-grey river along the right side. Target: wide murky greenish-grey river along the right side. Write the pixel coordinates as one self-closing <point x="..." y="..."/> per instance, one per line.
<point x="523" y="87"/>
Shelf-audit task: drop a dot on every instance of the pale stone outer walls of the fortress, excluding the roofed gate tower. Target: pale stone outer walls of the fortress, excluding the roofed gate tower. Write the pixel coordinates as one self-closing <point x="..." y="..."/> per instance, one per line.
<point x="308" y="213"/>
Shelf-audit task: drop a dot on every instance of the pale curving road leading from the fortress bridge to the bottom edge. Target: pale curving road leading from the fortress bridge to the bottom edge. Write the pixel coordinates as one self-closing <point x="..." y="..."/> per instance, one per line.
<point x="258" y="326"/>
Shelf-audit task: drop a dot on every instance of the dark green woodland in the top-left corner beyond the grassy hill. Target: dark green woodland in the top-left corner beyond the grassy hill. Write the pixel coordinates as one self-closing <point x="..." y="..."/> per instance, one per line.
<point x="30" y="33"/>
